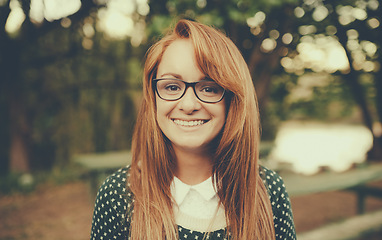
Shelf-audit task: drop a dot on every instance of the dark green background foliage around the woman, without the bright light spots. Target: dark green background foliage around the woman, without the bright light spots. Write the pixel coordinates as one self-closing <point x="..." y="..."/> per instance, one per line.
<point x="79" y="93"/>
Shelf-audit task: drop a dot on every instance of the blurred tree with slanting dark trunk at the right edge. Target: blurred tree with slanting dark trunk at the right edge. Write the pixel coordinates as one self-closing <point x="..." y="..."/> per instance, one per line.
<point x="355" y="25"/>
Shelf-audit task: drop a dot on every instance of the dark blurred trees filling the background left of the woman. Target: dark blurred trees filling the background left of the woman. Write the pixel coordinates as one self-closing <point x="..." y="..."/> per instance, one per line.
<point x="64" y="86"/>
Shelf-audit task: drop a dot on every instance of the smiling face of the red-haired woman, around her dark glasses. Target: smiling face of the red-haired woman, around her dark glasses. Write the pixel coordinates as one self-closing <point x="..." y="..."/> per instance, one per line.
<point x="188" y="123"/>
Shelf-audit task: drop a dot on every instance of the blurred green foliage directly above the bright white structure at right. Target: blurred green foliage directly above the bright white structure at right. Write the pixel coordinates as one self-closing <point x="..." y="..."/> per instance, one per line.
<point x="294" y="99"/>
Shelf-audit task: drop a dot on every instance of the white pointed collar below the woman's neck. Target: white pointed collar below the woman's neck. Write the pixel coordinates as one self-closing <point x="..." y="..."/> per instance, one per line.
<point x="179" y="189"/>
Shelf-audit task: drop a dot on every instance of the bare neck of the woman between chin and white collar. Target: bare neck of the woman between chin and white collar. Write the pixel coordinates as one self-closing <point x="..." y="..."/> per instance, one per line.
<point x="192" y="167"/>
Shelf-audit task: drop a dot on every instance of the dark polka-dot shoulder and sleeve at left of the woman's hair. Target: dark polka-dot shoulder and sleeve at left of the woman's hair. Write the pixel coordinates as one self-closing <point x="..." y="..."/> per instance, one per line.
<point x="113" y="205"/>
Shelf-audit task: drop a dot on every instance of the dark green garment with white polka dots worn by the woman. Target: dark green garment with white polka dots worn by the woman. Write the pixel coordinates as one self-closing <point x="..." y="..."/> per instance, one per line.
<point x="114" y="208"/>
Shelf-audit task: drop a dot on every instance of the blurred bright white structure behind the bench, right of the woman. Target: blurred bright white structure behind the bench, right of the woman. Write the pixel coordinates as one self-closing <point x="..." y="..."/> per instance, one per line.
<point x="309" y="146"/>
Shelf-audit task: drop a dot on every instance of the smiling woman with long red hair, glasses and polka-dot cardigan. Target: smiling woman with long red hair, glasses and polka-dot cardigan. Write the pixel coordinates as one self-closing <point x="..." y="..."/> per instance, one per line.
<point x="194" y="171"/>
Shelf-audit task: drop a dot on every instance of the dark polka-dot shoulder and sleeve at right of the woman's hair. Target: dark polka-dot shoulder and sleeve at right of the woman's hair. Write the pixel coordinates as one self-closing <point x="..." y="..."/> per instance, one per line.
<point x="281" y="205"/>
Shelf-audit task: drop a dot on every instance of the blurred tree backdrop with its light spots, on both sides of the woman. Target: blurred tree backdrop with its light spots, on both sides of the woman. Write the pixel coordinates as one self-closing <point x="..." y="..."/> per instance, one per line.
<point x="66" y="85"/>
